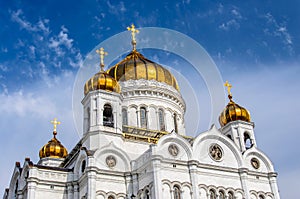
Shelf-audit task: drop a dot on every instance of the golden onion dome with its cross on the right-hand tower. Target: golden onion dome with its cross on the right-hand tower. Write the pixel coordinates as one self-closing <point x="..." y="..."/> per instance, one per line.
<point x="233" y="111"/>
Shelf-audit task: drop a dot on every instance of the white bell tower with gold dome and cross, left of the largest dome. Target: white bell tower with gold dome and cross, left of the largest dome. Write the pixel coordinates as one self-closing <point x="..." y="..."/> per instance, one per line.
<point x="101" y="102"/>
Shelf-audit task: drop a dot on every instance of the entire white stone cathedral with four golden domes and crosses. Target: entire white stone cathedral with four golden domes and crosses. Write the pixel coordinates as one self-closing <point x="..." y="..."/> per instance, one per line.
<point x="134" y="145"/>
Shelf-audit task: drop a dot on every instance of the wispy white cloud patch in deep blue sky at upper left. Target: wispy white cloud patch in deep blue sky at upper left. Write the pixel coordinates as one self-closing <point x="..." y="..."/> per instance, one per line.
<point x="46" y="50"/>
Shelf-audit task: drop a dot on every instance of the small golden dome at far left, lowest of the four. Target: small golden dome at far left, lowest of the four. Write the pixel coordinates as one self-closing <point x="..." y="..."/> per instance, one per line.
<point x="53" y="149"/>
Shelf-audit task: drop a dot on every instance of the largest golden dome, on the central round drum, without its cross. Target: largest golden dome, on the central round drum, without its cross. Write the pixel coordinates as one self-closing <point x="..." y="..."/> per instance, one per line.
<point x="135" y="66"/>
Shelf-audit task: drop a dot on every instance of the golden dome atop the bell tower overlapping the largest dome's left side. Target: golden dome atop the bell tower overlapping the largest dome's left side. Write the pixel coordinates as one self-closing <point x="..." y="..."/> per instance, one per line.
<point x="101" y="80"/>
